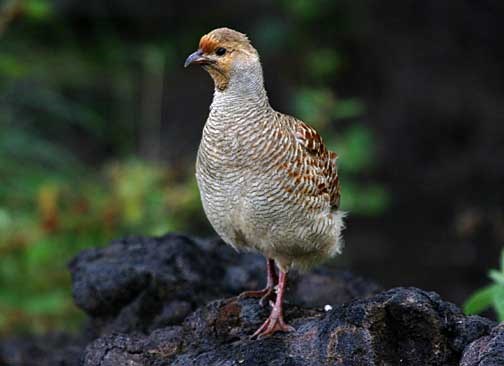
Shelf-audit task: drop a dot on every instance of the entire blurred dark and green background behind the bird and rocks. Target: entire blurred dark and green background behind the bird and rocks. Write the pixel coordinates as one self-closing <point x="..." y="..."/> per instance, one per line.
<point x="100" y="122"/>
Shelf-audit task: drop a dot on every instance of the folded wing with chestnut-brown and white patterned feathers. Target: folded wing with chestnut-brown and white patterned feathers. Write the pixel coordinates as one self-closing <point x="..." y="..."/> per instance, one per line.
<point x="323" y="172"/>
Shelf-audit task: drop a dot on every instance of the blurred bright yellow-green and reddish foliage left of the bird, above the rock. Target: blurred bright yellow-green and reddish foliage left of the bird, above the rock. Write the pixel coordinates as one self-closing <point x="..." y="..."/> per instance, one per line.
<point x="65" y="215"/>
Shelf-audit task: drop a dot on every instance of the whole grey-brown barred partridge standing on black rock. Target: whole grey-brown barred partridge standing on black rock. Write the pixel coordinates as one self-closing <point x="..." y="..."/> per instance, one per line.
<point x="267" y="182"/>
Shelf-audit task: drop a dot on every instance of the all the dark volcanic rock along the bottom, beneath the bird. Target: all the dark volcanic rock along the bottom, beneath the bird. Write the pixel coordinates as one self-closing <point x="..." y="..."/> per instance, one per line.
<point x="169" y="301"/>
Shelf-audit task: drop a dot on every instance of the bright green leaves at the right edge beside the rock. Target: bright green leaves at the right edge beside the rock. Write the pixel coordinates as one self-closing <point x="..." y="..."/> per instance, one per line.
<point x="491" y="296"/>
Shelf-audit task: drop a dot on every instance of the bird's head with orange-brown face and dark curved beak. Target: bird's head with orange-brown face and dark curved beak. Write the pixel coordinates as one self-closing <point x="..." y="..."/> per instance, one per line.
<point x="226" y="55"/>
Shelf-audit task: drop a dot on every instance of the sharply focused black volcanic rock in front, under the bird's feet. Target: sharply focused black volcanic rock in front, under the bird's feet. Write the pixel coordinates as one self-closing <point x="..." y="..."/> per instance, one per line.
<point x="403" y="326"/>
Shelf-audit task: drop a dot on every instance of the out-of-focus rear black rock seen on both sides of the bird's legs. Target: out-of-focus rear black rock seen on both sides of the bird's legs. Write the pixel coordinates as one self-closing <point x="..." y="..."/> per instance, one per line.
<point x="141" y="284"/>
